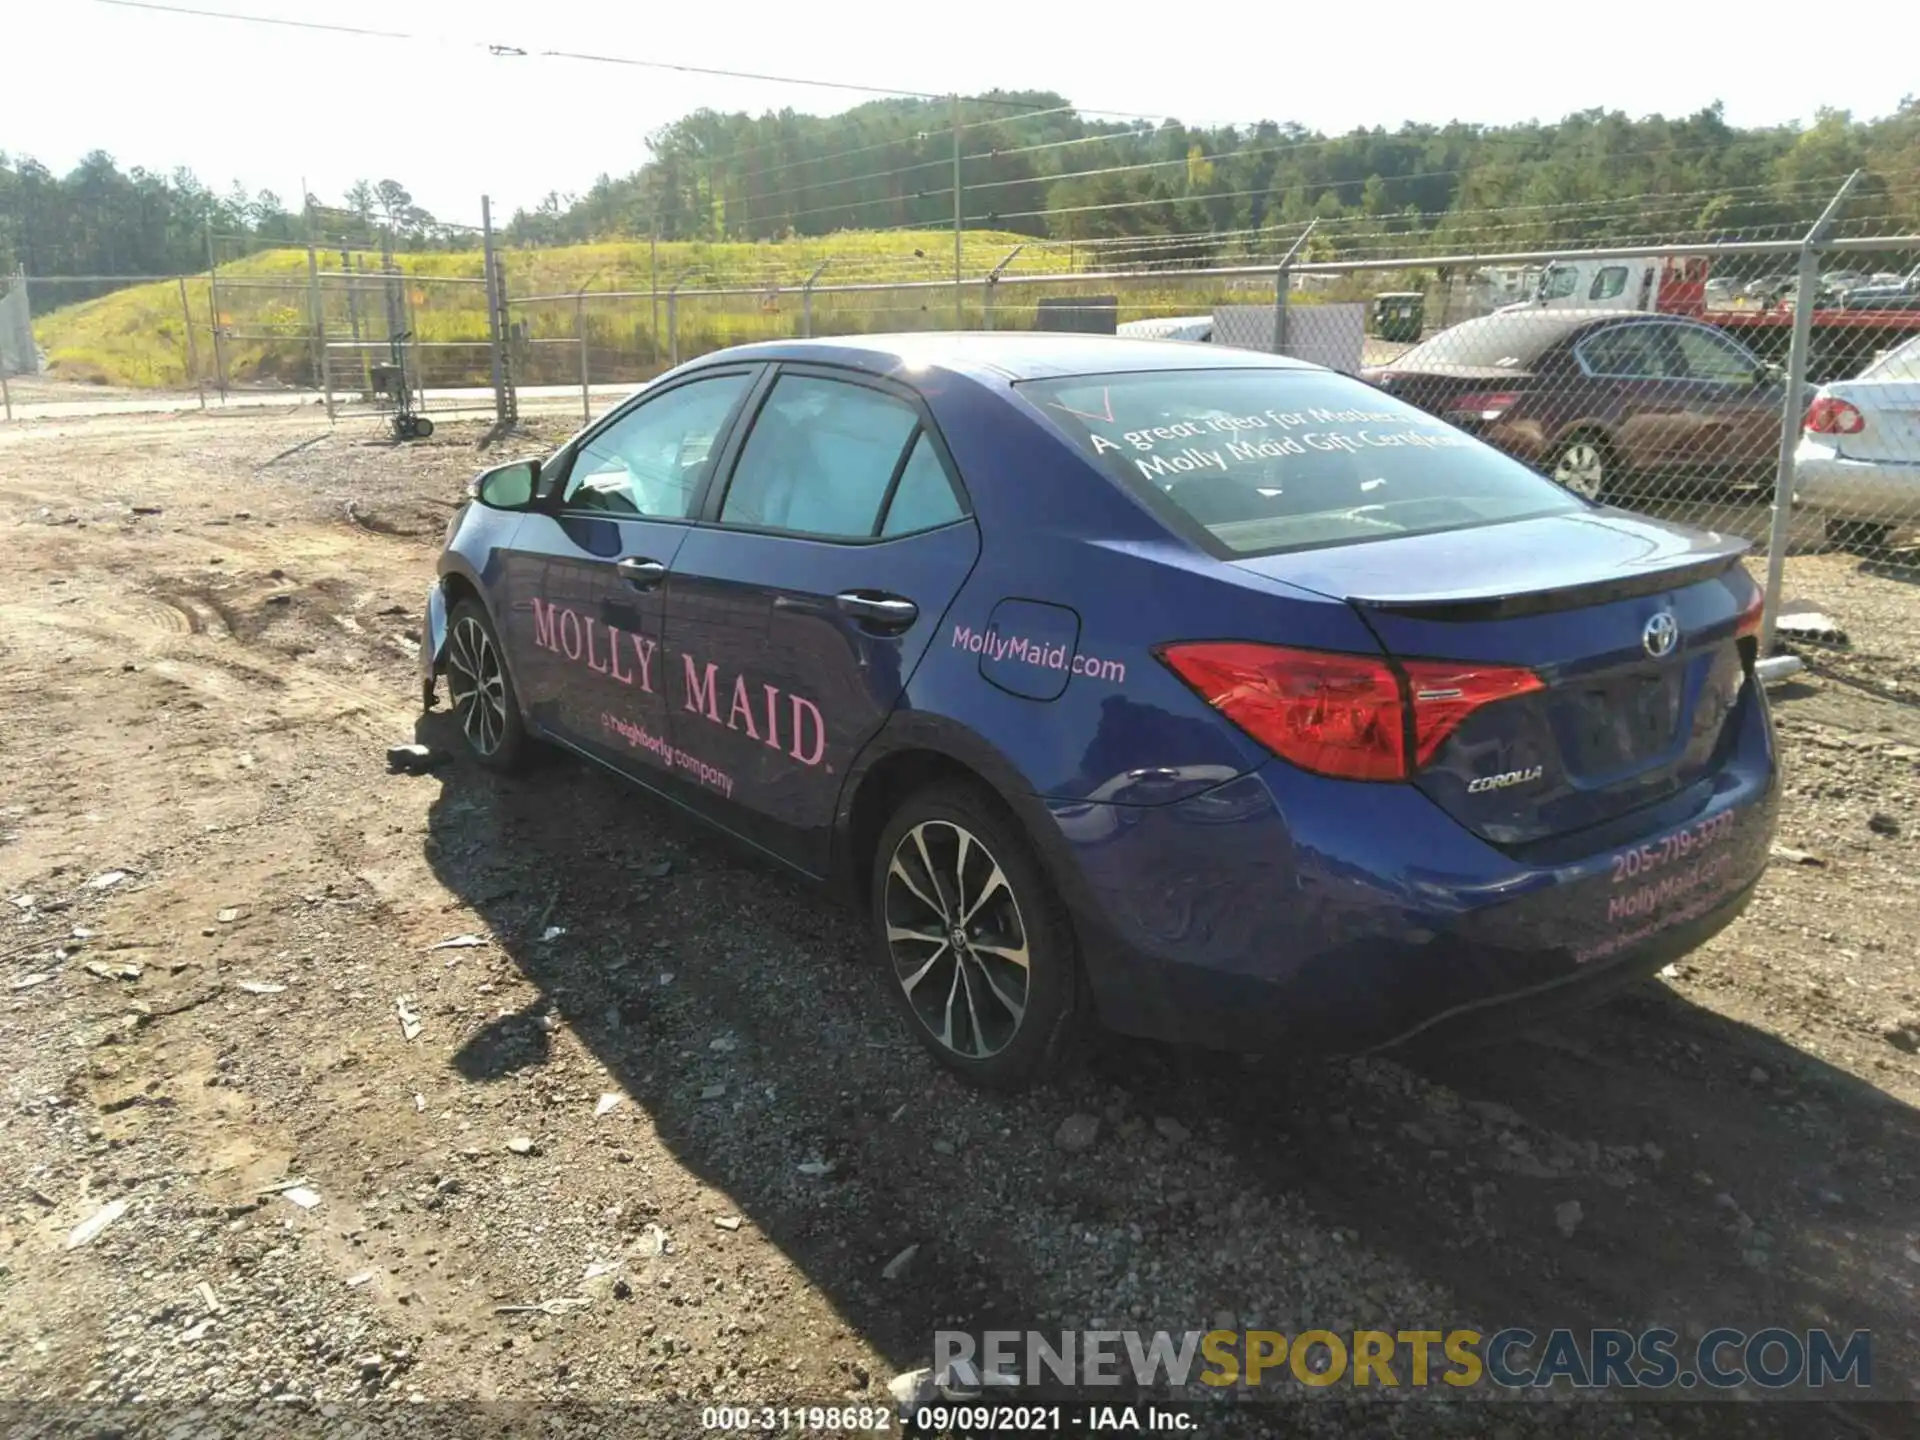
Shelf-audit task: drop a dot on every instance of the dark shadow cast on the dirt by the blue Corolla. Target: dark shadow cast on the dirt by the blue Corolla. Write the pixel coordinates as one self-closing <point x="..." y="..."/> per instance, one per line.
<point x="1643" y="1164"/>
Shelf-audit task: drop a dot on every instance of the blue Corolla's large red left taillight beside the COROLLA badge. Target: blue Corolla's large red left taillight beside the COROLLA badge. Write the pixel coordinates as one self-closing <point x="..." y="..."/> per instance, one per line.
<point x="1353" y="717"/>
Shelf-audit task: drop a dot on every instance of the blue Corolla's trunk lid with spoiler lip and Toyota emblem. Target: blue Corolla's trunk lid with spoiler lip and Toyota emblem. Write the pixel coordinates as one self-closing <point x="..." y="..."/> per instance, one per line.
<point x="1589" y="602"/>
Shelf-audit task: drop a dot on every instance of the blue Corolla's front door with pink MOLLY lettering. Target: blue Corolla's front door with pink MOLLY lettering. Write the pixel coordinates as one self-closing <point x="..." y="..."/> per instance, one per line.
<point x="588" y="569"/>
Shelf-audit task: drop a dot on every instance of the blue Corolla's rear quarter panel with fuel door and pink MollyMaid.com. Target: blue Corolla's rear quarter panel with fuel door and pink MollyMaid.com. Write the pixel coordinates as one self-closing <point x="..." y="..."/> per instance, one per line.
<point x="1059" y="533"/>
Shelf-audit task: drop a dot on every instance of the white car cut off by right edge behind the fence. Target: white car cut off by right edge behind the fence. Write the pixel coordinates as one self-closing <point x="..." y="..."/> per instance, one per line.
<point x="1860" y="452"/>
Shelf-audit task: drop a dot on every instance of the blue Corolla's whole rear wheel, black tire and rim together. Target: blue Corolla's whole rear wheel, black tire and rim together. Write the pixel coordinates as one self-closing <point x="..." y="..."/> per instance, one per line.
<point x="976" y="949"/>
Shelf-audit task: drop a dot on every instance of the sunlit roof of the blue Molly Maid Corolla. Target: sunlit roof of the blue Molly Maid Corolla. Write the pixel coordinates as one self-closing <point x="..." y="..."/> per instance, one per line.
<point x="1007" y="354"/>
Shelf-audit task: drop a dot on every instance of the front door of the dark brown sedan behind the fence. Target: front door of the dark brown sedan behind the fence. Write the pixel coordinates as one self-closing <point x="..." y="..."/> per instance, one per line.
<point x="1731" y="406"/>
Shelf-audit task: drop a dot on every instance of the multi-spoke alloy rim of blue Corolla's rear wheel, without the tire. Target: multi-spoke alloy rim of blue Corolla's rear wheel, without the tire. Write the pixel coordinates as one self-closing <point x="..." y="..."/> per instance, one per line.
<point x="957" y="940"/>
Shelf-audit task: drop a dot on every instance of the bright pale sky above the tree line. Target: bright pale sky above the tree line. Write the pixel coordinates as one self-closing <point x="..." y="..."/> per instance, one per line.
<point x="270" y="107"/>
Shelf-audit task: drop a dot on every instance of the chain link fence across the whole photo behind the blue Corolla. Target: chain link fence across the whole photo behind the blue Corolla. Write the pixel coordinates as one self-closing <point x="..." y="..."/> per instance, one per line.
<point x="1765" y="385"/>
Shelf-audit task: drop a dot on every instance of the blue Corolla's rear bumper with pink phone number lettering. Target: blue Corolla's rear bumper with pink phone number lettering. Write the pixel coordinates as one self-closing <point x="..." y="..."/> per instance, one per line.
<point x="1366" y="917"/>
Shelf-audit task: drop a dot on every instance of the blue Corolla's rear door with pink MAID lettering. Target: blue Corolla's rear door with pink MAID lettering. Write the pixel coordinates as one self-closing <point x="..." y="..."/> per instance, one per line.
<point x="804" y="604"/>
